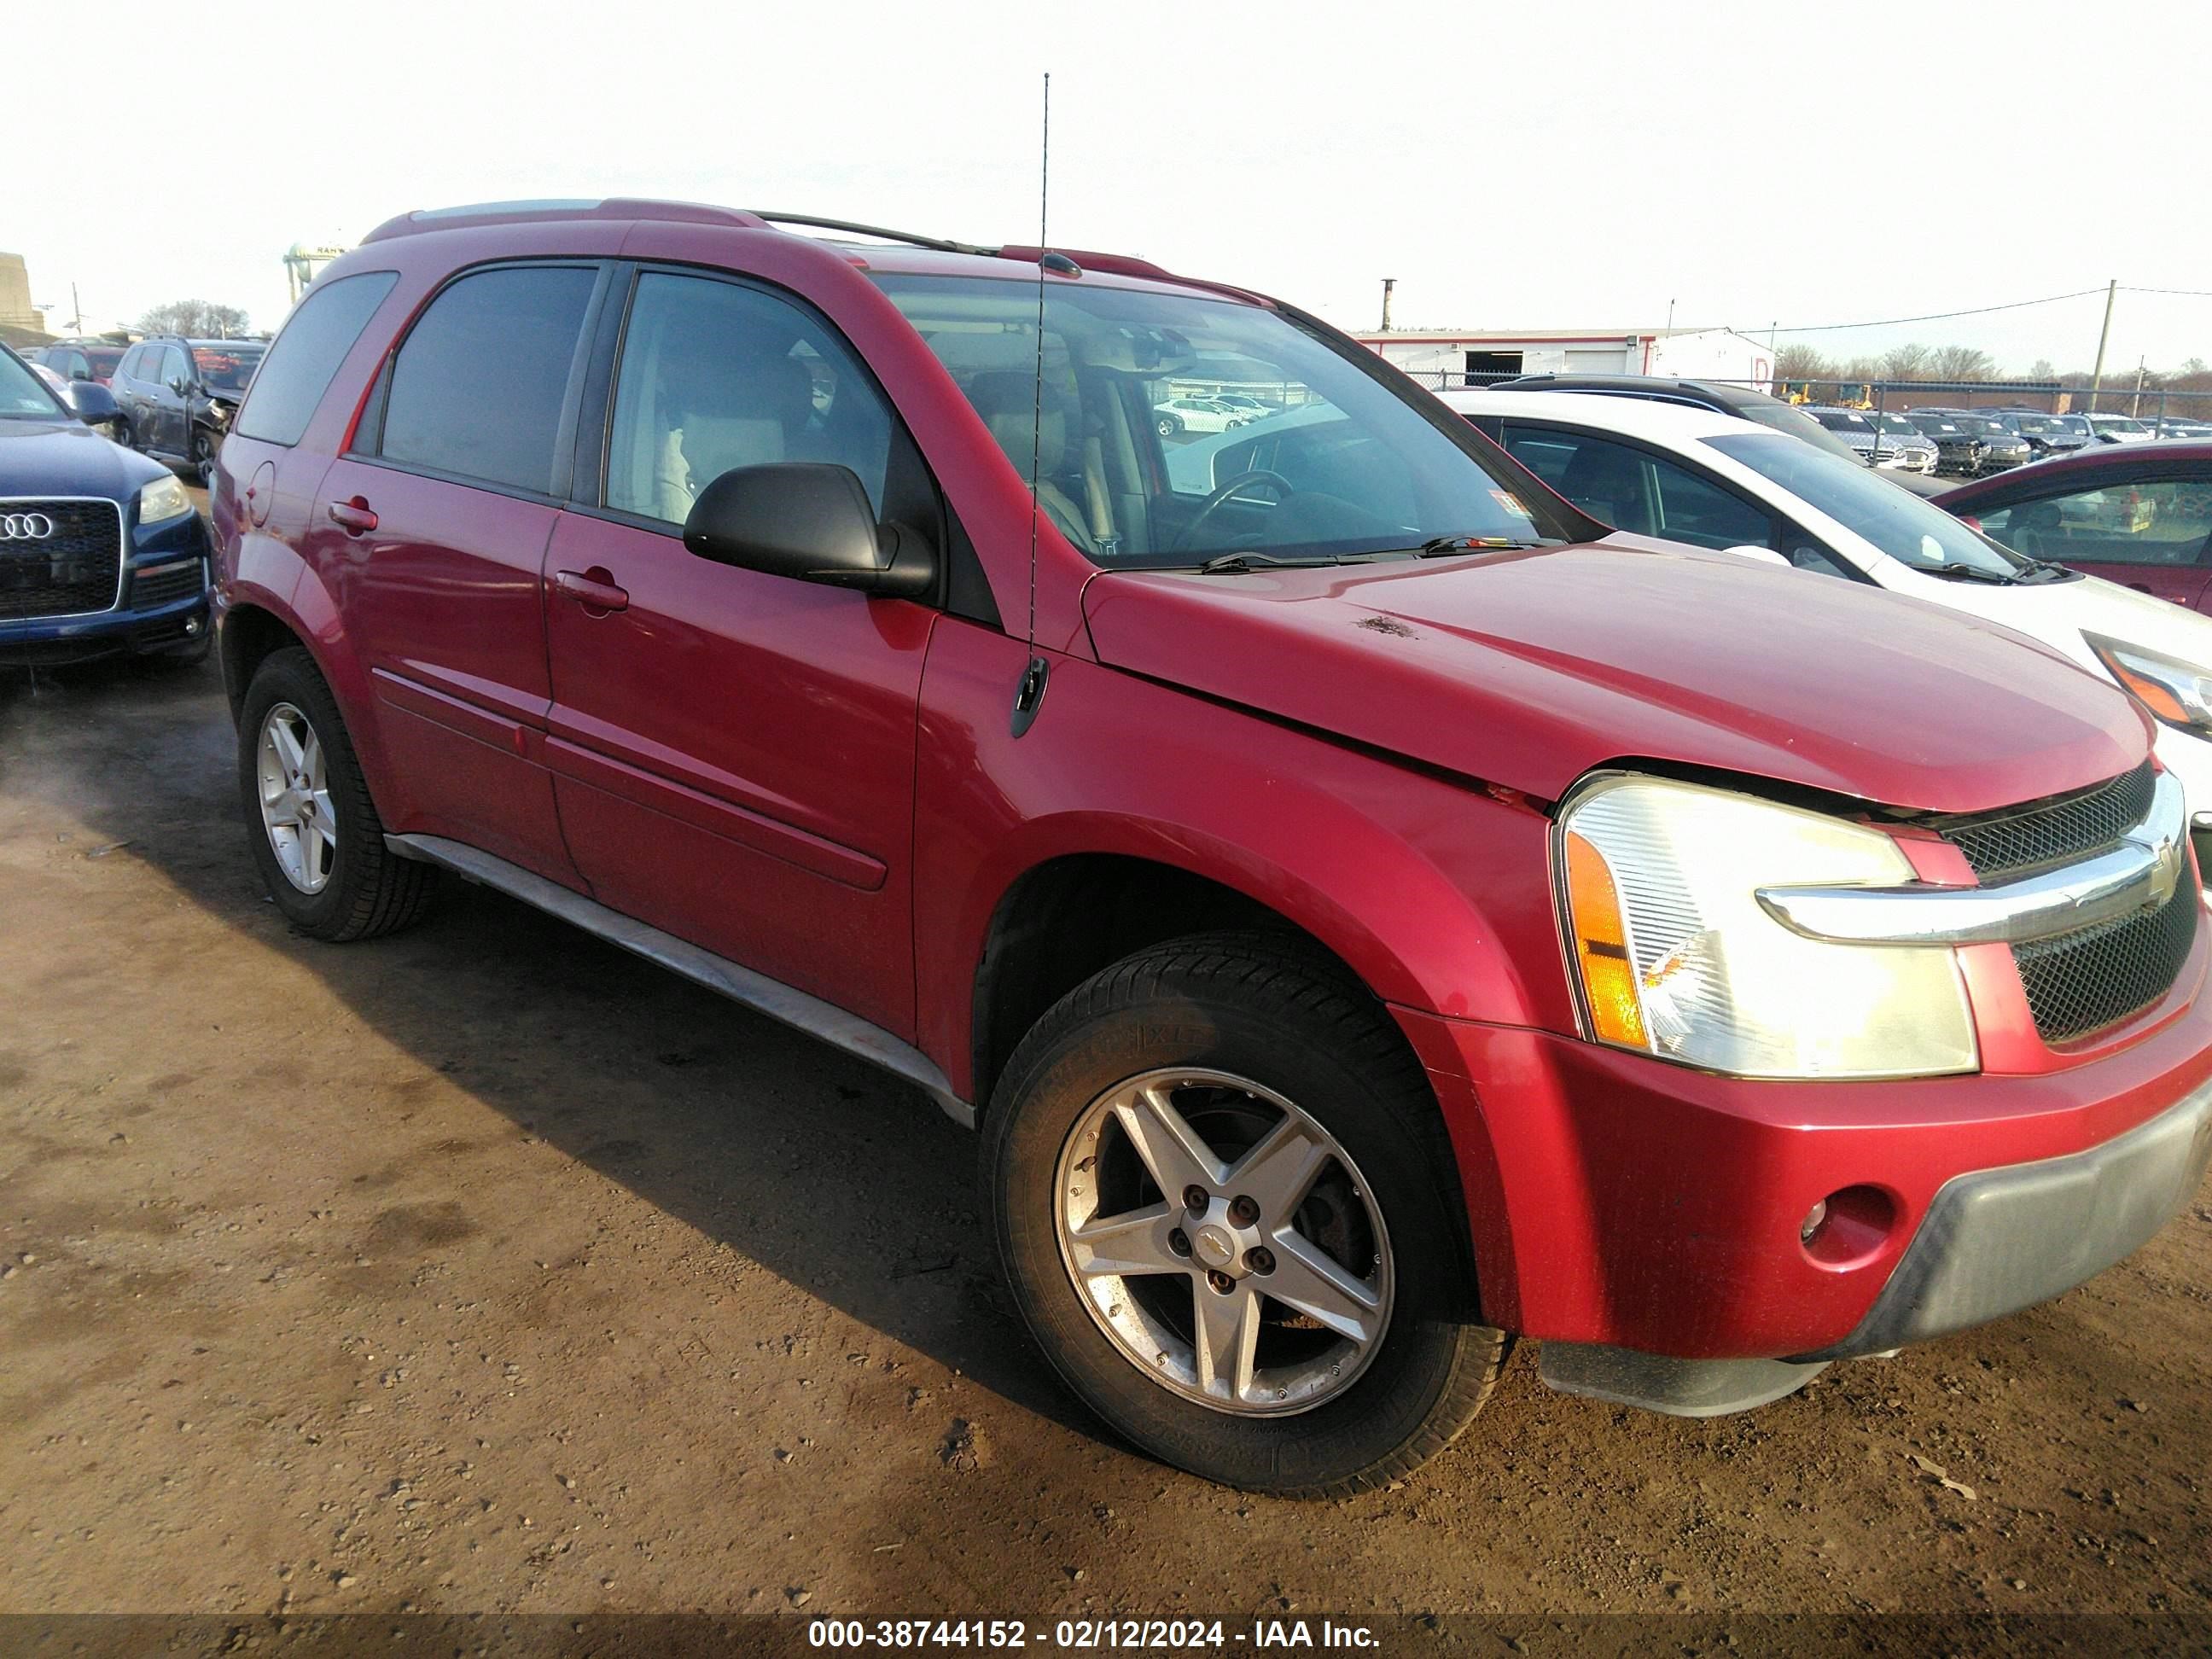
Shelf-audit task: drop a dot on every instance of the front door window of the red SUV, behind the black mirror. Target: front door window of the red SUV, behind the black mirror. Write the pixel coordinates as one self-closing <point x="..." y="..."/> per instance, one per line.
<point x="720" y="377"/>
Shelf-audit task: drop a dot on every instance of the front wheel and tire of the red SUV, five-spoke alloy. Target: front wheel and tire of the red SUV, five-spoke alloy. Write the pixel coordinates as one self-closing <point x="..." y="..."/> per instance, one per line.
<point x="1286" y="1030"/>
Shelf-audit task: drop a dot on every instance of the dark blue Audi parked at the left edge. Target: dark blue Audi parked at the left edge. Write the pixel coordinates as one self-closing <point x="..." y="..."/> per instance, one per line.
<point x="101" y="550"/>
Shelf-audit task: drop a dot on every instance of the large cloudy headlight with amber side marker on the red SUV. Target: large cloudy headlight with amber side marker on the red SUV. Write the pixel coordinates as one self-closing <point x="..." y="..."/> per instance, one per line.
<point x="1678" y="959"/>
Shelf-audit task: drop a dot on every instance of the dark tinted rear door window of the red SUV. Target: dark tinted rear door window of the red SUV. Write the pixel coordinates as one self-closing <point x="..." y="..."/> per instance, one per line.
<point x="479" y="386"/>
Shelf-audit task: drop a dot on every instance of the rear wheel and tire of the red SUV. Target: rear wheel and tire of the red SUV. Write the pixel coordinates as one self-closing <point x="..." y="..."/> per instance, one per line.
<point x="348" y="886"/>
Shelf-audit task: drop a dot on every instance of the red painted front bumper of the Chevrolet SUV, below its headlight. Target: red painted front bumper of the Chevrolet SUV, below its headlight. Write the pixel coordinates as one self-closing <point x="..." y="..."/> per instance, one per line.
<point x="1631" y="1204"/>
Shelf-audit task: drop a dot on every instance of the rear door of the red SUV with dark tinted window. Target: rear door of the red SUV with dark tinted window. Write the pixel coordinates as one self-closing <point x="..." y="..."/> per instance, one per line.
<point x="432" y="536"/>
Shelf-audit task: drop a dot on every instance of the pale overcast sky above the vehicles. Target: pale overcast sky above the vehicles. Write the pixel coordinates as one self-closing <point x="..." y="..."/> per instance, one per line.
<point x="1516" y="167"/>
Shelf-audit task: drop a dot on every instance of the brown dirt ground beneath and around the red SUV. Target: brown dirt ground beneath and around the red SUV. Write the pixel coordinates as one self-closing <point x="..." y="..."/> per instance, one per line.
<point x="488" y="1269"/>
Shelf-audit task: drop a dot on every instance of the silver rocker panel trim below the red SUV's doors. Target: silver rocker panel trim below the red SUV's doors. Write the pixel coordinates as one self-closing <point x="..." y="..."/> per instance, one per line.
<point x="758" y="992"/>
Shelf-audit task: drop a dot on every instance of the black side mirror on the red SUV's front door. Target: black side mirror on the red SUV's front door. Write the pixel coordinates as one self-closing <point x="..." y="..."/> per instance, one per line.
<point x="813" y="523"/>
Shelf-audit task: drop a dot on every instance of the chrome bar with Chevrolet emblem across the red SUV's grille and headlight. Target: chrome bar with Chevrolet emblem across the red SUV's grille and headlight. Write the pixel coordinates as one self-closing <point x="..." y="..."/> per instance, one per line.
<point x="2136" y="877"/>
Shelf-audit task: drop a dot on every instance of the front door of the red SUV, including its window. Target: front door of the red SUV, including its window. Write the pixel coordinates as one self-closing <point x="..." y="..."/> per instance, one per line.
<point x="733" y="753"/>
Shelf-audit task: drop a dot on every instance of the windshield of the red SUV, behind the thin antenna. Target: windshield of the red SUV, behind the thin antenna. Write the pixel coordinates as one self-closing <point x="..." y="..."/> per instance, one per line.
<point x="1140" y="463"/>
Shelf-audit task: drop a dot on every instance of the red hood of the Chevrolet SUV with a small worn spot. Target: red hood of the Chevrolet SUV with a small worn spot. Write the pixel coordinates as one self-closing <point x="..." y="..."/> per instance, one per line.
<point x="1532" y="669"/>
